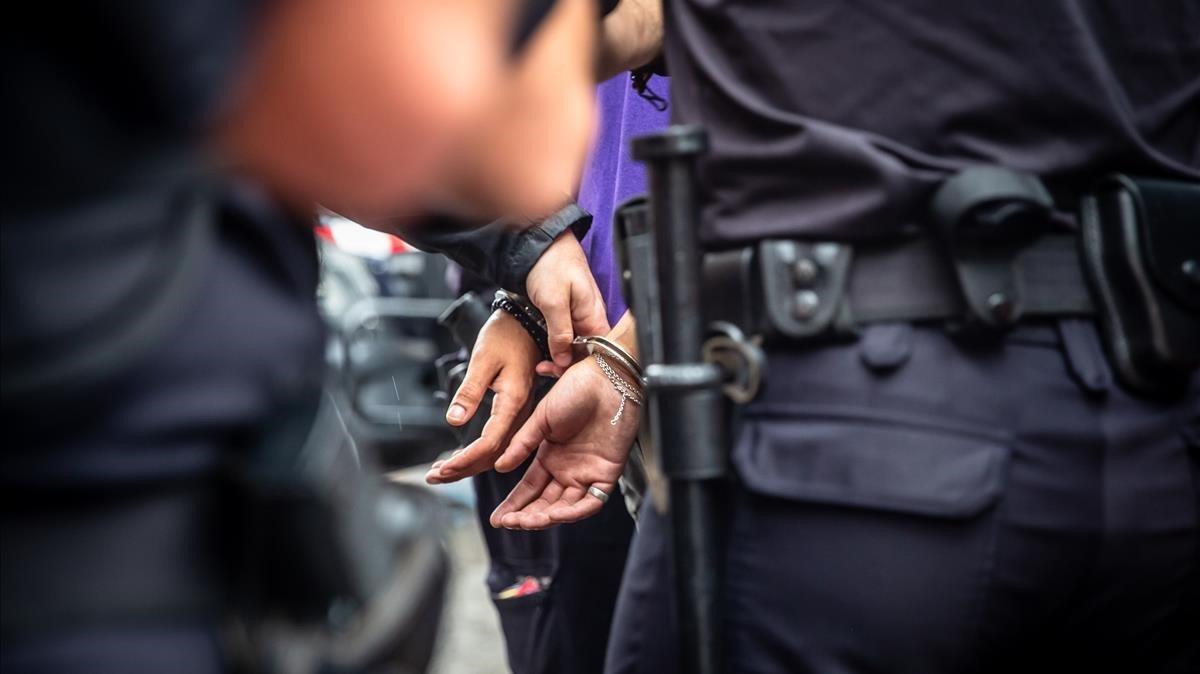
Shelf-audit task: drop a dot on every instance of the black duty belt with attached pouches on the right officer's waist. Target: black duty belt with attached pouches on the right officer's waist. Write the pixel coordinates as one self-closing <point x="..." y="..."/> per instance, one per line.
<point x="994" y="254"/>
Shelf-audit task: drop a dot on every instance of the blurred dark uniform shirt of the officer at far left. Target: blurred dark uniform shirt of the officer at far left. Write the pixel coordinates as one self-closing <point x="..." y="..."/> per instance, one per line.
<point x="107" y="111"/>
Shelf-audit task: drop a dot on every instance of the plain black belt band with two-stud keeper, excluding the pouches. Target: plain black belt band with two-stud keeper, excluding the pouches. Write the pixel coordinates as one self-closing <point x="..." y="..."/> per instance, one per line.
<point x="784" y="290"/>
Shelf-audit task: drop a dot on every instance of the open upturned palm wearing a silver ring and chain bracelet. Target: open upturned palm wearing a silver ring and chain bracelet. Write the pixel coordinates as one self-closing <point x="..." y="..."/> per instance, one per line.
<point x="577" y="448"/>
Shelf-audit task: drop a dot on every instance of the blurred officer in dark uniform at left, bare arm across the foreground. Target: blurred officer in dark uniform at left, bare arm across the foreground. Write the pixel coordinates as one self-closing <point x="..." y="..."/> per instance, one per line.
<point x="160" y="272"/>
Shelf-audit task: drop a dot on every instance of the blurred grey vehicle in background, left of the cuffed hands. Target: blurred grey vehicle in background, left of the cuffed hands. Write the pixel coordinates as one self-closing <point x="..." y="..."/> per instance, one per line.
<point x="382" y="300"/>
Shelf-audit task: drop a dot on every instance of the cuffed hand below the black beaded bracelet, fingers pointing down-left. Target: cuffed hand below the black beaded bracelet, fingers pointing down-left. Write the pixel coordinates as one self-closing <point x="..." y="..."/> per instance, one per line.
<point x="502" y="362"/>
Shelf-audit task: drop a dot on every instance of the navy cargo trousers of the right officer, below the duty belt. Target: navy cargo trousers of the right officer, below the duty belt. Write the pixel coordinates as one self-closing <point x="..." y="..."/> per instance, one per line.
<point x="971" y="510"/>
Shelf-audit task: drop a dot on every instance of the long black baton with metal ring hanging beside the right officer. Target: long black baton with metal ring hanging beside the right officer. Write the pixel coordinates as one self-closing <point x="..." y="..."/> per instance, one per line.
<point x="685" y="401"/>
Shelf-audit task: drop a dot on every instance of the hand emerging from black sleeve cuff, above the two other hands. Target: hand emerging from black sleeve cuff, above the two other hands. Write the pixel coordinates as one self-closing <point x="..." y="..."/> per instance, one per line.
<point x="561" y="286"/>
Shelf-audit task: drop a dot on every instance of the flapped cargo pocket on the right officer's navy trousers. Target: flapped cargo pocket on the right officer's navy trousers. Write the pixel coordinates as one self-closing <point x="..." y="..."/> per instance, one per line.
<point x="869" y="538"/>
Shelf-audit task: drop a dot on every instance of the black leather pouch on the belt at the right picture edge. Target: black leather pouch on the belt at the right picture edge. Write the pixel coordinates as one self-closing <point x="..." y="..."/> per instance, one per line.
<point x="1141" y="244"/>
